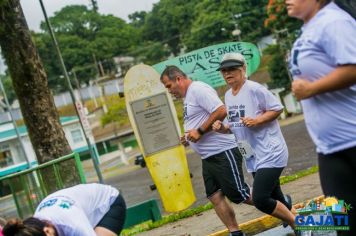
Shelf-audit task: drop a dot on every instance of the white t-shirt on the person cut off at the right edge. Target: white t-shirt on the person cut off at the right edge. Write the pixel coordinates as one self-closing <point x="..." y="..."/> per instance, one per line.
<point x="327" y="41"/>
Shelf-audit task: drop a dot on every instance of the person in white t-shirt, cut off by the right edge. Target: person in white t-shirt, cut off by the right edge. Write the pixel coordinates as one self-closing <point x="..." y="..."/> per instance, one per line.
<point x="323" y="66"/>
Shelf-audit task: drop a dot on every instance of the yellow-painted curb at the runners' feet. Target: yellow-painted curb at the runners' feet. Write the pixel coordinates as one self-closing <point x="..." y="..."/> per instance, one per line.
<point x="260" y="224"/>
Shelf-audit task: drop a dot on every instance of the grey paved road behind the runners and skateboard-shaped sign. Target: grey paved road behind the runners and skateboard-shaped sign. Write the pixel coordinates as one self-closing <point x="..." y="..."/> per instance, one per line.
<point x="135" y="184"/>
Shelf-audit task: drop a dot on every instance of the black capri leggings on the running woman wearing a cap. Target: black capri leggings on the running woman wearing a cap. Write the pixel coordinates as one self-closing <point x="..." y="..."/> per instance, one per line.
<point x="267" y="189"/>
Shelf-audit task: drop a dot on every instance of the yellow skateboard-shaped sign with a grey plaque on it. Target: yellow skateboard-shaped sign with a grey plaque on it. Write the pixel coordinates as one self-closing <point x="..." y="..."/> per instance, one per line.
<point x="154" y="120"/>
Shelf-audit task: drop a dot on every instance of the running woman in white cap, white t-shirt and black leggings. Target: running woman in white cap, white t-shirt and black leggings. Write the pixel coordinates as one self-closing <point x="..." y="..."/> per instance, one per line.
<point x="252" y="113"/>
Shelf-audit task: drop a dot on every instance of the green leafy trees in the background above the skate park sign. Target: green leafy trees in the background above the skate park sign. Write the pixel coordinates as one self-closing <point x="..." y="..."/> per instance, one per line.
<point x="86" y="36"/>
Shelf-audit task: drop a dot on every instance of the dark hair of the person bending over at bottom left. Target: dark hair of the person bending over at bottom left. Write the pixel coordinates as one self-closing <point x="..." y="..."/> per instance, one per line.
<point x="29" y="227"/>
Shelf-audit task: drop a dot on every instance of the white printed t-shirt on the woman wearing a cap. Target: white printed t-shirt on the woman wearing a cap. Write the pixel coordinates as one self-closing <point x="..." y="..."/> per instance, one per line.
<point x="267" y="142"/>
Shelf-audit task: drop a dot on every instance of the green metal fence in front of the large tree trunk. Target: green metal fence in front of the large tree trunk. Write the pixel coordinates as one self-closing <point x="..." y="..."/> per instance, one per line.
<point x="29" y="187"/>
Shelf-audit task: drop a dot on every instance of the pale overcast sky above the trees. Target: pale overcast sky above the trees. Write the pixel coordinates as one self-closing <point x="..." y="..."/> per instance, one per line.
<point x="119" y="8"/>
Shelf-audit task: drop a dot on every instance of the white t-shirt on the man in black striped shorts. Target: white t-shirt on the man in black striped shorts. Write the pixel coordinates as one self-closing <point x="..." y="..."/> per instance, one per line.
<point x="200" y="101"/>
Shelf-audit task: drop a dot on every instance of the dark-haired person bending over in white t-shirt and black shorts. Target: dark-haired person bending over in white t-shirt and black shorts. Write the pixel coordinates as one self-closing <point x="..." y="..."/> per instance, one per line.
<point x="85" y="209"/>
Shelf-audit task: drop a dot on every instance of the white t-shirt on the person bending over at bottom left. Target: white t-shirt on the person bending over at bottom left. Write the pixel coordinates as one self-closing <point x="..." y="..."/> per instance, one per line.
<point x="77" y="210"/>
